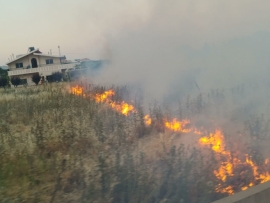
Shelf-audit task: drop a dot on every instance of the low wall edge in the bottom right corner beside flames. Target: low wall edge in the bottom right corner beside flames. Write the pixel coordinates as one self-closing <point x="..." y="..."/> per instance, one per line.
<point x="256" y="194"/>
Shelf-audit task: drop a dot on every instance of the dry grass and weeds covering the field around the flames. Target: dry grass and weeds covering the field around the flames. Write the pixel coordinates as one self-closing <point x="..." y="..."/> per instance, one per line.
<point x="59" y="147"/>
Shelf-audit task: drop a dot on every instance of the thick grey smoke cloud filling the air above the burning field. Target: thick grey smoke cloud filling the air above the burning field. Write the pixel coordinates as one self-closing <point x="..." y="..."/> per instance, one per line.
<point x="184" y="47"/>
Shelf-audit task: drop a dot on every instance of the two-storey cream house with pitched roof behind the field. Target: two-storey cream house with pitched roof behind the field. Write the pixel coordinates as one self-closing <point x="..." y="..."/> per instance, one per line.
<point x="34" y="61"/>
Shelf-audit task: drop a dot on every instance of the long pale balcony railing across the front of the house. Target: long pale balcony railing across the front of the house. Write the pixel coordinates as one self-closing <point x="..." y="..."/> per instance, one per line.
<point x="43" y="69"/>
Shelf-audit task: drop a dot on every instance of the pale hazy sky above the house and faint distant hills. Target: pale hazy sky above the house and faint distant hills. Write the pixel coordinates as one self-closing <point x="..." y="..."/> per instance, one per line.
<point x="88" y="28"/>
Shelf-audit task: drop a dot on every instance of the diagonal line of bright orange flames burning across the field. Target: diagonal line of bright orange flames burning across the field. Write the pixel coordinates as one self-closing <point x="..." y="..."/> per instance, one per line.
<point x="214" y="140"/>
